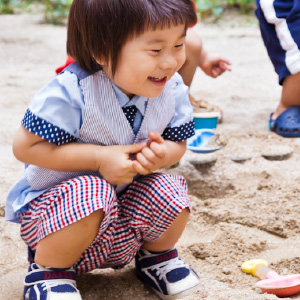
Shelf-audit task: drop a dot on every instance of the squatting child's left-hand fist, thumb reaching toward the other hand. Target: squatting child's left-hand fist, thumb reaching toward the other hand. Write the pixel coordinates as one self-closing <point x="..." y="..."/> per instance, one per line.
<point x="115" y="164"/>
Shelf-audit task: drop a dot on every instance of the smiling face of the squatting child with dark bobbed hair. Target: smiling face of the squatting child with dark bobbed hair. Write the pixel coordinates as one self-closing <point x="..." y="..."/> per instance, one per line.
<point x="148" y="61"/>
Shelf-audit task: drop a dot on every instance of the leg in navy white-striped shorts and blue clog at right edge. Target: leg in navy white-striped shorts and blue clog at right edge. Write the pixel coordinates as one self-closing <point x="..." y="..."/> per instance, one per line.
<point x="281" y="38"/>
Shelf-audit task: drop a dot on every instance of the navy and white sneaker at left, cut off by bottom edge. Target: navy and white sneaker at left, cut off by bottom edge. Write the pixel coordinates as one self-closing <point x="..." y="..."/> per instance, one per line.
<point x="50" y="284"/>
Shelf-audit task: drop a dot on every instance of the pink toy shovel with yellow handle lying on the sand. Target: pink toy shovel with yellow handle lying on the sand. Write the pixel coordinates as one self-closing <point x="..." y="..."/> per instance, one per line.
<point x="272" y="283"/>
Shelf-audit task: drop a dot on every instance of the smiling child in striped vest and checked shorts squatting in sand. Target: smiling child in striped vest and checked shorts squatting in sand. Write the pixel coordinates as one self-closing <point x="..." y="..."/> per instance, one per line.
<point x="92" y="140"/>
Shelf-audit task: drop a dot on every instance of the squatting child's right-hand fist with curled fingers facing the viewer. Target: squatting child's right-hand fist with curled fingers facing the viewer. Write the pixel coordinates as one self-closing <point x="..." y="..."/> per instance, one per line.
<point x="151" y="157"/>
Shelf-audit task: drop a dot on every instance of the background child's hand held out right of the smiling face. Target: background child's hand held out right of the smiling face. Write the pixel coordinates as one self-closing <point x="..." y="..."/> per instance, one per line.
<point x="214" y="65"/>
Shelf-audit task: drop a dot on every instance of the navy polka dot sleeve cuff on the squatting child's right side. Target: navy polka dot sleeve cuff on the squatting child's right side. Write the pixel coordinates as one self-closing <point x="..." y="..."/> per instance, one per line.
<point x="180" y="133"/>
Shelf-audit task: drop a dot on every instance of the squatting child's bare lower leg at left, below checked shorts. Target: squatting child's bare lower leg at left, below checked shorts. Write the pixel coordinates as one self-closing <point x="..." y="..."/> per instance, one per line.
<point x="63" y="248"/>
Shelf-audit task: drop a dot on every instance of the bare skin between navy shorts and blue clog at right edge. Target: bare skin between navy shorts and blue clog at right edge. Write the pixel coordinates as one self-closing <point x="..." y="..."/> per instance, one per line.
<point x="290" y="95"/>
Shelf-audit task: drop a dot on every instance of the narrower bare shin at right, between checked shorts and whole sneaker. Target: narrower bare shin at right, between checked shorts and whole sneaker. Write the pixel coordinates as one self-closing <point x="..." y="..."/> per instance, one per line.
<point x="171" y="236"/>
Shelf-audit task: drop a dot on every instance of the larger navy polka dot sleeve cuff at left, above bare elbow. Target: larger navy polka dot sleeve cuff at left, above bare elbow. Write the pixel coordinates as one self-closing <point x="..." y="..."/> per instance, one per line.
<point x="51" y="133"/>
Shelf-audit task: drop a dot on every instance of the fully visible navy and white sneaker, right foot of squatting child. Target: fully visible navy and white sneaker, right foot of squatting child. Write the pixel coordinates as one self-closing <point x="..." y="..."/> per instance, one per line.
<point x="168" y="275"/>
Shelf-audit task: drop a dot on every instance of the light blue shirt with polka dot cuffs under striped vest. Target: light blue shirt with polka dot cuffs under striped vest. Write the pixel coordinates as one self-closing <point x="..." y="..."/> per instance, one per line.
<point x="56" y="114"/>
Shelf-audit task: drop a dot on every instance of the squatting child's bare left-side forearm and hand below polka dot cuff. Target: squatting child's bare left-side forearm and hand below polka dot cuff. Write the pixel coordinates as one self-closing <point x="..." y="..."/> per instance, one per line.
<point x="112" y="162"/>
